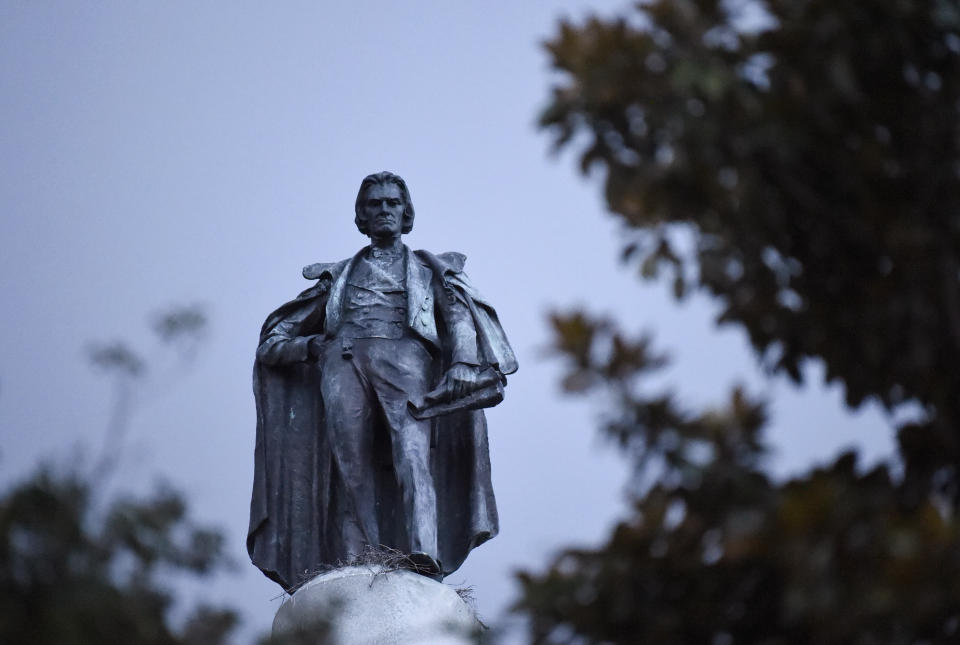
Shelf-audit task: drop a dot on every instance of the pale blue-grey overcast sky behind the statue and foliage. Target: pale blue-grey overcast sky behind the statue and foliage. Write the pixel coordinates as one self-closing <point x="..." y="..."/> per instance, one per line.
<point x="166" y="153"/>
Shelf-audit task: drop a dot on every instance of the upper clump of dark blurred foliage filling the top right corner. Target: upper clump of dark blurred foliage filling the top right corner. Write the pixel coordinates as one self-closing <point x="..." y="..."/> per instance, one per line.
<point x="811" y="151"/>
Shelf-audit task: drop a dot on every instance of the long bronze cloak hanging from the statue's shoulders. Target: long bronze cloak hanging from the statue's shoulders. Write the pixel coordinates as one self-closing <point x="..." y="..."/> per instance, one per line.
<point x="298" y="500"/>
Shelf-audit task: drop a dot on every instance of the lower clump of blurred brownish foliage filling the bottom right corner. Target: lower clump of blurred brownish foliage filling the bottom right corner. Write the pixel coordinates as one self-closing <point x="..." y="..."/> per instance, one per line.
<point x="715" y="551"/>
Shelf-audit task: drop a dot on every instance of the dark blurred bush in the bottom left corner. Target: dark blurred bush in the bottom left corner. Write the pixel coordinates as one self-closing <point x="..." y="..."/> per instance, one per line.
<point x="71" y="575"/>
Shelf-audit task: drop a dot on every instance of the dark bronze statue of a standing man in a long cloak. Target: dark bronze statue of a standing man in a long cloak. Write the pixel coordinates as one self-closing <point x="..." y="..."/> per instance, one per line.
<point x="369" y="387"/>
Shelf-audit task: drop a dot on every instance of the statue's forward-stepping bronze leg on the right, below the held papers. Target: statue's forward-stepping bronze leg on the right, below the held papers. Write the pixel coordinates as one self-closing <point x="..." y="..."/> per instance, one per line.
<point x="404" y="372"/>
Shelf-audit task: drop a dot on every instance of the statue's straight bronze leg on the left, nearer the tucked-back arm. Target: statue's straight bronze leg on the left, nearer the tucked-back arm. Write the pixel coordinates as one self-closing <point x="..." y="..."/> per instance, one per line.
<point x="350" y="420"/>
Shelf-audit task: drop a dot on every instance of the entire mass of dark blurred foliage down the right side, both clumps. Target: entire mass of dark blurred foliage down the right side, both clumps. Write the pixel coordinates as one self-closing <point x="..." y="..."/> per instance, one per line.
<point x="799" y="161"/>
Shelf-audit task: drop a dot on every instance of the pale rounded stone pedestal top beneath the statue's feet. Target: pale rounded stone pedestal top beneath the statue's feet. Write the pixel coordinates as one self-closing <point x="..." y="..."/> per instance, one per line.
<point x="368" y="605"/>
